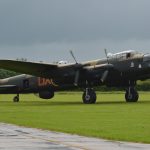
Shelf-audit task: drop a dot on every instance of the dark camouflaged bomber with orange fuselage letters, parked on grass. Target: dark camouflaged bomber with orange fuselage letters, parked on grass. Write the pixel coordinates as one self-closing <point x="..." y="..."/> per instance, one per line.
<point x="119" y="70"/>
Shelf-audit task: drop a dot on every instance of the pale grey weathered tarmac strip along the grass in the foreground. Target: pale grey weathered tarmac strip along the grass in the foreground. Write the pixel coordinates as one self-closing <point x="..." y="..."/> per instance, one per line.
<point x="14" y="137"/>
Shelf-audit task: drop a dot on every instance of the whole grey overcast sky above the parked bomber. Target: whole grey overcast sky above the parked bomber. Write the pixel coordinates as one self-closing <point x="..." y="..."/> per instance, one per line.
<point x="45" y="30"/>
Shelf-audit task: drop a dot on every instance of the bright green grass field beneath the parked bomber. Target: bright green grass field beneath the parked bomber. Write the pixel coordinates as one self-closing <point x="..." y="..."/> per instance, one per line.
<point x="111" y="118"/>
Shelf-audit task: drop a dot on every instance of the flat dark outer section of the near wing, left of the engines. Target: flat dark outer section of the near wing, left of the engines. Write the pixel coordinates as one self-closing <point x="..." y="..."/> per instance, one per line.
<point x="36" y="69"/>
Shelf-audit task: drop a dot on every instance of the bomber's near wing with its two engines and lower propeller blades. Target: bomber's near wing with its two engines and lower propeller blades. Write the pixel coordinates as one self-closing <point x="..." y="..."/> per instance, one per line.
<point x="52" y="70"/>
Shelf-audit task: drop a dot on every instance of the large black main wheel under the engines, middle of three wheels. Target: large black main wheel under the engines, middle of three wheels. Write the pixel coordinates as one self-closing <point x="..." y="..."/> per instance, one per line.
<point x="89" y="96"/>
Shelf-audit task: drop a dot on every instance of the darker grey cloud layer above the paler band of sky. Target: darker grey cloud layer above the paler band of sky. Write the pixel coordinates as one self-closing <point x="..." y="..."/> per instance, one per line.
<point x="34" y="21"/>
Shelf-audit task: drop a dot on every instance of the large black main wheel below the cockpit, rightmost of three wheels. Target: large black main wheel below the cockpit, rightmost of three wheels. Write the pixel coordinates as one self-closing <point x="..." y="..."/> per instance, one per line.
<point x="131" y="95"/>
